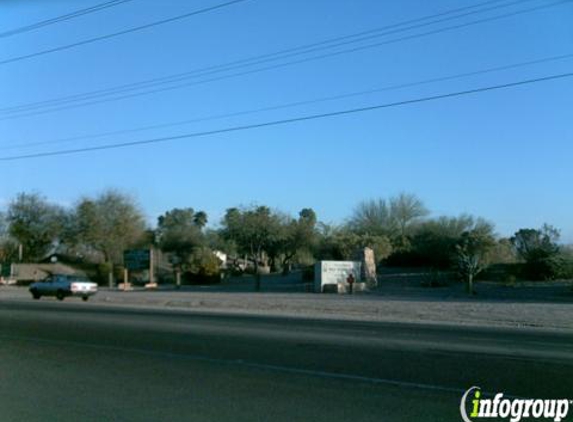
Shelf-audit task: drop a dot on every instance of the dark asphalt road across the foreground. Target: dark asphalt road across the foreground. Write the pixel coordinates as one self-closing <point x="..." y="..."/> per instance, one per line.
<point x="79" y="362"/>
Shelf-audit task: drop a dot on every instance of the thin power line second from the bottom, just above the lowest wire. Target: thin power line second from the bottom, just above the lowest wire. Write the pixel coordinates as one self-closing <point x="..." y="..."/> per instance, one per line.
<point x="296" y="103"/>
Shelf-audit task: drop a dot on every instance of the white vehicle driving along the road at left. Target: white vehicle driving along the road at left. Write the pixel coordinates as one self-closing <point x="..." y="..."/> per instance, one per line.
<point x="61" y="286"/>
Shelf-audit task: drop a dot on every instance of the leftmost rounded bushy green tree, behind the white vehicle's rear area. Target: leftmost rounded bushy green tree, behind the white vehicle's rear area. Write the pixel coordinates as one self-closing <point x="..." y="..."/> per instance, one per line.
<point x="35" y="224"/>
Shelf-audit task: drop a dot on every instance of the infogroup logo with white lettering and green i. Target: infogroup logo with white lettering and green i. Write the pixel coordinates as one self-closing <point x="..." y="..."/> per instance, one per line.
<point x="514" y="409"/>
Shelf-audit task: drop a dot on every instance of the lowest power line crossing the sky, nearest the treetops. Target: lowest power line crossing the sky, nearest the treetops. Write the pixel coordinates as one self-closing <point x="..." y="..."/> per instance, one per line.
<point x="288" y="121"/>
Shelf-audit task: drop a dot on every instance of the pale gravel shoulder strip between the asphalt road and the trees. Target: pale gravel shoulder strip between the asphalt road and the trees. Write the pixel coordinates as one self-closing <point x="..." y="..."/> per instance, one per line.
<point x="443" y="307"/>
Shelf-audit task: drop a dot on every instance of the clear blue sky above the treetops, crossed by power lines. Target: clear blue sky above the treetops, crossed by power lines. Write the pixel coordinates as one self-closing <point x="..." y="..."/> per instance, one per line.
<point x="504" y="155"/>
